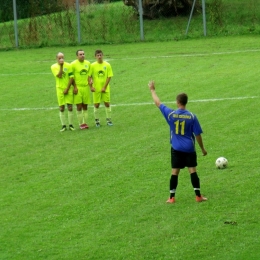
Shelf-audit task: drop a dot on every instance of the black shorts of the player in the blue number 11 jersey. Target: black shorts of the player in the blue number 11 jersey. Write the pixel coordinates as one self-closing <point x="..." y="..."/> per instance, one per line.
<point x="181" y="160"/>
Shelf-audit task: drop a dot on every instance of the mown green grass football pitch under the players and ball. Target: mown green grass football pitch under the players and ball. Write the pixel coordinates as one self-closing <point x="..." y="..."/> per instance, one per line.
<point x="100" y="193"/>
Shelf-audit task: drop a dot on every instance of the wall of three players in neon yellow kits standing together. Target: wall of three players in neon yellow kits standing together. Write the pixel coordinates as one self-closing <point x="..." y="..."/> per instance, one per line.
<point x="80" y="82"/>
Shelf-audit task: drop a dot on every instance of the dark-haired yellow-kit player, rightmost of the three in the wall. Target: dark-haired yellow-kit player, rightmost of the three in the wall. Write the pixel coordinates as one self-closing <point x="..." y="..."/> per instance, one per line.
<point x="100" y="76"/>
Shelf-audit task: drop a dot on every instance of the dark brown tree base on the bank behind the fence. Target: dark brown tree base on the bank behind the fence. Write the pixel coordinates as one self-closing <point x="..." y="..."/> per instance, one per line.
<point x="156" y="8"/>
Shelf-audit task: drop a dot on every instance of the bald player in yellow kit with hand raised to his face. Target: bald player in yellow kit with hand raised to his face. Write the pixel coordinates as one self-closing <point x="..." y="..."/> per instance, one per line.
<point x="62" y="73"/>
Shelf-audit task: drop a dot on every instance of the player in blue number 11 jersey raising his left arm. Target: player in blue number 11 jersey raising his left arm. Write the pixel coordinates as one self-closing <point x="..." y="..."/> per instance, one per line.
<point x="184" y="129"/>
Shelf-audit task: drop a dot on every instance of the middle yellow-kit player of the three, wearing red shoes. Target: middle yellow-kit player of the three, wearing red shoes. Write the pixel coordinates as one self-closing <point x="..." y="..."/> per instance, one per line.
<point x="82" y="97"/>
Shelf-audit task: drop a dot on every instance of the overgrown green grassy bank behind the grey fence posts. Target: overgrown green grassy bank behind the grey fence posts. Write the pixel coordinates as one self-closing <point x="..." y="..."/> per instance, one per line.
<point x="115" y="23"/>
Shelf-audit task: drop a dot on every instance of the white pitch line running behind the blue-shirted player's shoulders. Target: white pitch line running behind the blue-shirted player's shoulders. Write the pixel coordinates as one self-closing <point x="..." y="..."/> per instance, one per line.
<point x="133" y="104"/>
